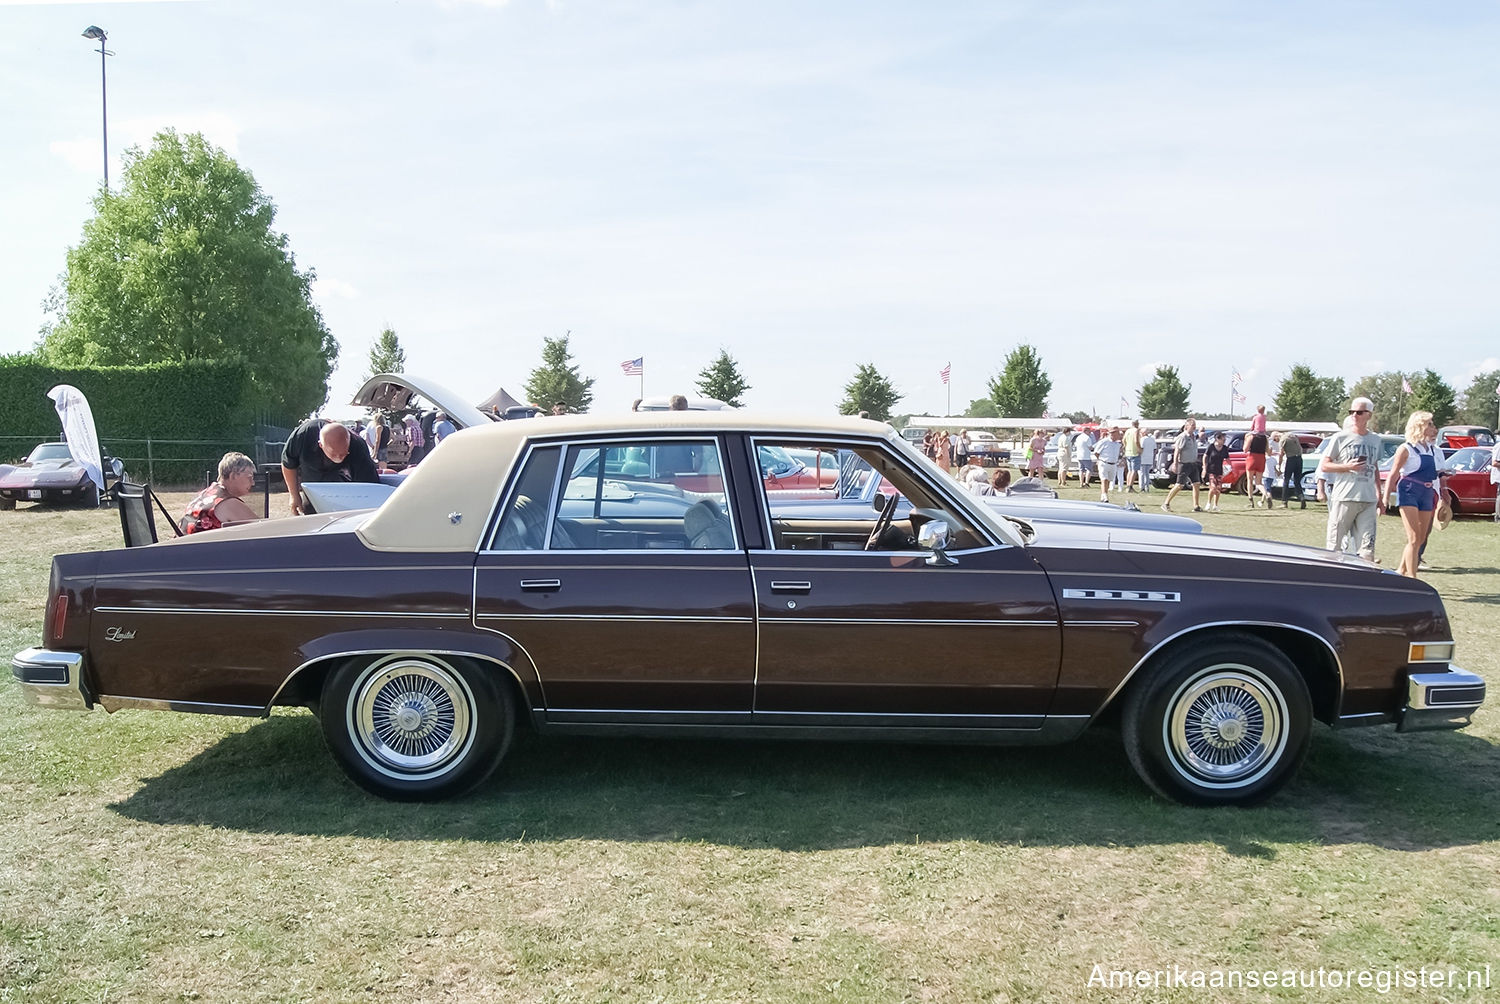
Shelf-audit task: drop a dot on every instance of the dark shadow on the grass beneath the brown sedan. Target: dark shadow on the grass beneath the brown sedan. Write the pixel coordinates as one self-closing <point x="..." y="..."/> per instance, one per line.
<point x="1367" y="787"/>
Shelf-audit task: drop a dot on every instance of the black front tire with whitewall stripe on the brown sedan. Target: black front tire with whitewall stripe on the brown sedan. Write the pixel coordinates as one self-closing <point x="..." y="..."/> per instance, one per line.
<point x="1150" y="712"/>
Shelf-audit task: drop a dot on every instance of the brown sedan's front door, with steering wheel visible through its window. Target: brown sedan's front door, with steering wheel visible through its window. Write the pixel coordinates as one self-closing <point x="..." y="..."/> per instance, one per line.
<point x="860" y="631"/>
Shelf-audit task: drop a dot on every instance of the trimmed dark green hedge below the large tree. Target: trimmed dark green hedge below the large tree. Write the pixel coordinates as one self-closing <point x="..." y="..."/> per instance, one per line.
<point x="200" y="401"/>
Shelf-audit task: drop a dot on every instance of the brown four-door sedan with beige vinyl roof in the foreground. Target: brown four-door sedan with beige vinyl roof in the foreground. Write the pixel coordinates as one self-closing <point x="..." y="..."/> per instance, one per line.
<point x="506" y="583"/>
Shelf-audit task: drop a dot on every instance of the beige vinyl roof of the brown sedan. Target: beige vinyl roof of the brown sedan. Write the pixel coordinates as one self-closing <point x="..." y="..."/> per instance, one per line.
<point x="448" y="499"/>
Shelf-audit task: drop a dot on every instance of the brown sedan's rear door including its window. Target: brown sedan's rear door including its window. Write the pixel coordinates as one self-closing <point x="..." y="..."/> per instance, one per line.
<point x="617" y="567"/>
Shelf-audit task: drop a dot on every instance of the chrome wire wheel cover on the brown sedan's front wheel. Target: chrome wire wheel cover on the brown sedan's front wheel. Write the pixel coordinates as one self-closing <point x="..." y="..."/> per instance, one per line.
<point x="1226" y="727"/>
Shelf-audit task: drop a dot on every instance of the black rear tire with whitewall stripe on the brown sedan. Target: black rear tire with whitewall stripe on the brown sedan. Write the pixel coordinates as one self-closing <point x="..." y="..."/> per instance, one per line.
<point x="491" y="727"/>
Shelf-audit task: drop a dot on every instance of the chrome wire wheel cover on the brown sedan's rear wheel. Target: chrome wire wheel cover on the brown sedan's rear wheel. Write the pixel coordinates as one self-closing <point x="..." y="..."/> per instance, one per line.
<point x="412" y="718"/>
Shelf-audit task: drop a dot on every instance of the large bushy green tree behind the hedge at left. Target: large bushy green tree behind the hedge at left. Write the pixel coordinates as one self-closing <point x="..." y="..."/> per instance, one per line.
<point x="182" y="263"/>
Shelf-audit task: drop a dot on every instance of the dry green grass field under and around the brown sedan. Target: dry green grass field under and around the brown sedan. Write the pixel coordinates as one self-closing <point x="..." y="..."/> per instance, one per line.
<point x="161" y="858"/>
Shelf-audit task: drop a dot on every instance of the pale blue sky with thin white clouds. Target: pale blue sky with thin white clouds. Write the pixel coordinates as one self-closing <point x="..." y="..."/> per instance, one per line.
<point x="812" y="187"/>
